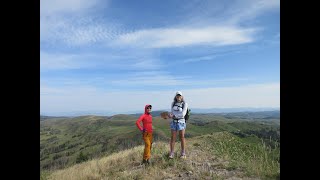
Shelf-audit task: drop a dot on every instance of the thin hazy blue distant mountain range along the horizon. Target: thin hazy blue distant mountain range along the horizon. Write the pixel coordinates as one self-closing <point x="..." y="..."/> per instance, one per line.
<point x="156" y="112"/>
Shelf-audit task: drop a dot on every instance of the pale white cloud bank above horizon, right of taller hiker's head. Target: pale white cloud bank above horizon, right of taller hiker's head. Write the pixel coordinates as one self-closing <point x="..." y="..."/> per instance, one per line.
<point x="256" y="95"/>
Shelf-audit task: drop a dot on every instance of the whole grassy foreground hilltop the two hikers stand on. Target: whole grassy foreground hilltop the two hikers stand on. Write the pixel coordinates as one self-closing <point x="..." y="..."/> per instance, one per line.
<point x="218" y="155"/>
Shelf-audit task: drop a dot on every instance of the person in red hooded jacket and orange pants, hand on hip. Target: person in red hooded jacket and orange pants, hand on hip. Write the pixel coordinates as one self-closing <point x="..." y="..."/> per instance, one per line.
<point x="146" y="130"/>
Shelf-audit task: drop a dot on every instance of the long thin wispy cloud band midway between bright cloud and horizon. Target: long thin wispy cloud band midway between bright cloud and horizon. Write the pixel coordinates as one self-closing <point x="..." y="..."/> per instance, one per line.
<point x="137" y="79"/>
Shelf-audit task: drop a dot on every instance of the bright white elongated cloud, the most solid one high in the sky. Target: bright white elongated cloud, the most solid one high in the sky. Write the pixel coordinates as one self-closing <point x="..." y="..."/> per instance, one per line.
<point x="176" y="37"/>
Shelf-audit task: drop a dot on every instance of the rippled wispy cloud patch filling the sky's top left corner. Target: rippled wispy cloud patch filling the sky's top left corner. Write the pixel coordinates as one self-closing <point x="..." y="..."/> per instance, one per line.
<point x="72" y="22"/>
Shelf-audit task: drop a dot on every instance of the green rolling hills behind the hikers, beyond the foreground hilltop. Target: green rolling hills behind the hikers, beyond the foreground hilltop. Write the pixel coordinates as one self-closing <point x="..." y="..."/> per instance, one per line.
<point x="65" y="142"/>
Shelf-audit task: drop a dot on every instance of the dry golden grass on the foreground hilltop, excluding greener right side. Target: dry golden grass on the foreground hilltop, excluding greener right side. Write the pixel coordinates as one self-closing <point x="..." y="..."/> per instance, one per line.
<point x="201" y="163"/>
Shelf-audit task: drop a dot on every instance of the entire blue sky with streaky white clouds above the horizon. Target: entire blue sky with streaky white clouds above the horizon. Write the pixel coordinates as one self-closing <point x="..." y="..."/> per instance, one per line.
<point x="118" y="55"/>
